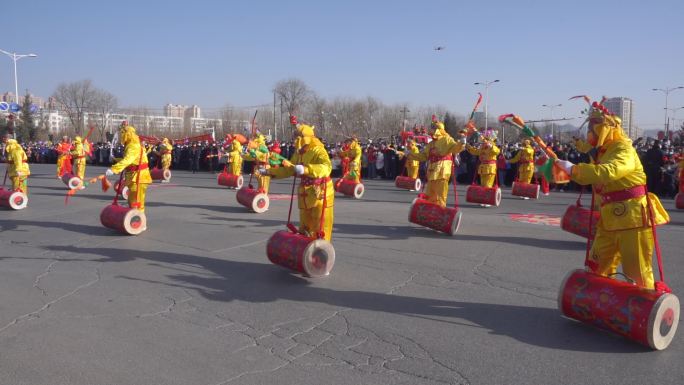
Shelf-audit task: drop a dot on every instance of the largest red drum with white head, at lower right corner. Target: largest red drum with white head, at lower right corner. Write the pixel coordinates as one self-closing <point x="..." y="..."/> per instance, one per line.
<point x="642" y="315"/>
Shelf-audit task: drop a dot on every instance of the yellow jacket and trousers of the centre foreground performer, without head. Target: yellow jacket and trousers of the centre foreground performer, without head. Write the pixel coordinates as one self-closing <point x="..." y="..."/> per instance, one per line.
<point x="310" y="197"/>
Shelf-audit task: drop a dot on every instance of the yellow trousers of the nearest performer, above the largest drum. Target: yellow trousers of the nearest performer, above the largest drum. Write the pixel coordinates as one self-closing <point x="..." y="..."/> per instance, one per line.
<point x="633" y="248"/>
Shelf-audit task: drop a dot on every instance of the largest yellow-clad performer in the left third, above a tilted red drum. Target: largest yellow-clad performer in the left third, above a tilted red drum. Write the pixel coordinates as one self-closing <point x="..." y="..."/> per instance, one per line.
<point x="134" y="163"/>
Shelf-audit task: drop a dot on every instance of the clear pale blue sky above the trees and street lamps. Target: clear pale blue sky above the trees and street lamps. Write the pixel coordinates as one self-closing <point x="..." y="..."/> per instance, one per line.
<point x="212" y="53"/>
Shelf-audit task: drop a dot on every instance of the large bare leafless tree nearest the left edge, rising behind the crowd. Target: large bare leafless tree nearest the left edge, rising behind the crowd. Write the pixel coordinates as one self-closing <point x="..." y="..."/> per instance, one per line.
<point x="76" y="99"/>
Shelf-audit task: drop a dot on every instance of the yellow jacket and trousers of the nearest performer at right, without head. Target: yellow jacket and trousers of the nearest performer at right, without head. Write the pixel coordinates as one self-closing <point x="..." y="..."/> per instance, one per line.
<point x="623" y="234"/>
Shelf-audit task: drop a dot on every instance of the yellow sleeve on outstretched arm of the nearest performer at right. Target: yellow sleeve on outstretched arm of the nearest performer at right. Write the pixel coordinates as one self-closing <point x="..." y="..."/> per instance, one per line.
<point x="614" y="165"/>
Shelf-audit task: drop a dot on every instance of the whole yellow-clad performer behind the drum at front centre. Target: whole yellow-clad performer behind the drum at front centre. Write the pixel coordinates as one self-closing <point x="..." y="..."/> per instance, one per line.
<point x="316" y="194"/>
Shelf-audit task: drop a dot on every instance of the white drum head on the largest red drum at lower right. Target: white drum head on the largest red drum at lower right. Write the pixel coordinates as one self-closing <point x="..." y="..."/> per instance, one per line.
<point x="663" y="321"/>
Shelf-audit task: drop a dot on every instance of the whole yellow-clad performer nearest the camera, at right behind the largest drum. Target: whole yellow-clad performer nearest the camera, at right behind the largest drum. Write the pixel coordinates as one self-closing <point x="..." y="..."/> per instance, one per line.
<point x="623" y="234"/>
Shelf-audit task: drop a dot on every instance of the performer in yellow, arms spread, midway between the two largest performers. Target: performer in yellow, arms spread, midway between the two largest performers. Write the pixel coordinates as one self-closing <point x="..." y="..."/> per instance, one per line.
<point x="439" y="154"/>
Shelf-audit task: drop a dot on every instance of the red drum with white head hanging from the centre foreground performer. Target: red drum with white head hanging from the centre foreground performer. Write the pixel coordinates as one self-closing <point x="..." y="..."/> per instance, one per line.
<point x="312" y="257"/>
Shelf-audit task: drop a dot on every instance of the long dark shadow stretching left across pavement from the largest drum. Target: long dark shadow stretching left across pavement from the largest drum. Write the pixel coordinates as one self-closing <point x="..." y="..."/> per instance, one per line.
<point x="258" y="282"/>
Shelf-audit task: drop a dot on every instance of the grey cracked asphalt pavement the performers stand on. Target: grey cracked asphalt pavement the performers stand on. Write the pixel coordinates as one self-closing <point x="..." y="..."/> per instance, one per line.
<point x="194" y="299"/>
